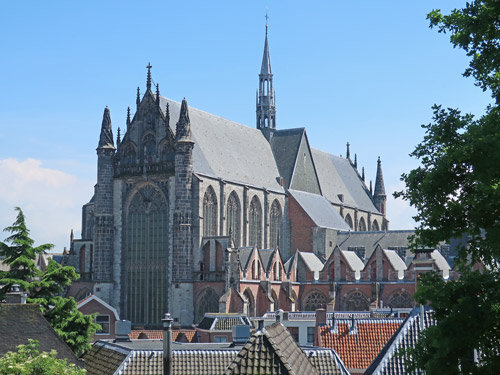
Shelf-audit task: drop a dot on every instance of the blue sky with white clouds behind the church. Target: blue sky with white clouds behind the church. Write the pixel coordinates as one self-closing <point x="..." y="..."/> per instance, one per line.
<point x="359" y="71"/>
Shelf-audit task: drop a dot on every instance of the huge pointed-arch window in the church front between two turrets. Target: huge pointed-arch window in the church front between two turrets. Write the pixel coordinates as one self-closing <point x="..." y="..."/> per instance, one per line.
<point x="146" y="256"/>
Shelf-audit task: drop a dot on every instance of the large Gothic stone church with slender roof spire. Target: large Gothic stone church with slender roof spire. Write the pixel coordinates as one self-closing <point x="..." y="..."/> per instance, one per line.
<point x="193" y="213"/>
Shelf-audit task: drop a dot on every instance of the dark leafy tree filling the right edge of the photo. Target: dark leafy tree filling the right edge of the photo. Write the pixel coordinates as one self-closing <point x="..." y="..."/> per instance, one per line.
<point x="456" y="191"/>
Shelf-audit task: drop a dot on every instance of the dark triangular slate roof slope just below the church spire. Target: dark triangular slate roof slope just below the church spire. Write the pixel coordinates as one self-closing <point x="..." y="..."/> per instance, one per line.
<point x="285" y="145"/>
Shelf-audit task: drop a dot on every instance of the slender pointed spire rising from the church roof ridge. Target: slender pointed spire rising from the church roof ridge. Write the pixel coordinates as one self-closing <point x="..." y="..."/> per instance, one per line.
<point x="266" y="106"/>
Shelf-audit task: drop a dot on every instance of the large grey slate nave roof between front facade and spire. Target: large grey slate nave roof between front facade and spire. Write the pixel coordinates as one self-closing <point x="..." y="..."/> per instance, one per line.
<point x="229" y="150"/>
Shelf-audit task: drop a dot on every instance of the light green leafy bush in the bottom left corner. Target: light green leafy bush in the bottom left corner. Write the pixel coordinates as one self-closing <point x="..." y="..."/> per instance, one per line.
<point x="27" y="360"/>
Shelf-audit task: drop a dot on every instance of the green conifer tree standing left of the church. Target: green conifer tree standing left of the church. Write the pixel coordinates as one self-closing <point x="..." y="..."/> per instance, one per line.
<point x="44" y="288"/>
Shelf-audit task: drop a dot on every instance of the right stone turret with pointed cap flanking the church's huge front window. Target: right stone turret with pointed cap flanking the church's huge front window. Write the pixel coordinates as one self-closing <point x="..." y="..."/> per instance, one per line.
<point x="182" y="254"/>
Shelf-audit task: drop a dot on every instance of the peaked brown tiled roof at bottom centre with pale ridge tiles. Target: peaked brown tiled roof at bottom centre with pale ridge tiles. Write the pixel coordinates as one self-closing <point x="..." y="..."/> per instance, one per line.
<point x="271" y="350"/>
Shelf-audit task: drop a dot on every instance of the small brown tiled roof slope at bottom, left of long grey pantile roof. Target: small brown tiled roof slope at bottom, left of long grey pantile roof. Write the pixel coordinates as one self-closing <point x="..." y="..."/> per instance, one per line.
<point x="100" y="360"/>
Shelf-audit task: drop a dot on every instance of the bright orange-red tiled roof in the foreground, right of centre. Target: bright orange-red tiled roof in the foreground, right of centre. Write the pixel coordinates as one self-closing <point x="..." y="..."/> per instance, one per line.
<point x="358" y="344"/>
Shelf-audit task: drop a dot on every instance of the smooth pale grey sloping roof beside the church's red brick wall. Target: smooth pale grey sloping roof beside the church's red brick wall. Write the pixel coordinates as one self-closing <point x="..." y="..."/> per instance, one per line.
<point x="320" y="210"/>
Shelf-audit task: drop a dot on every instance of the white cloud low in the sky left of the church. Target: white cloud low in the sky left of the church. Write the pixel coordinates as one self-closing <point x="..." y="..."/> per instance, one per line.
<point x="50" y="199"/>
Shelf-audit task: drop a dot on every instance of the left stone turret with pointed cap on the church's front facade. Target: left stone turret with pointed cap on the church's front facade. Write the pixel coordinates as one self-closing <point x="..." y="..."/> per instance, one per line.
<point x="103" y="225"/>
